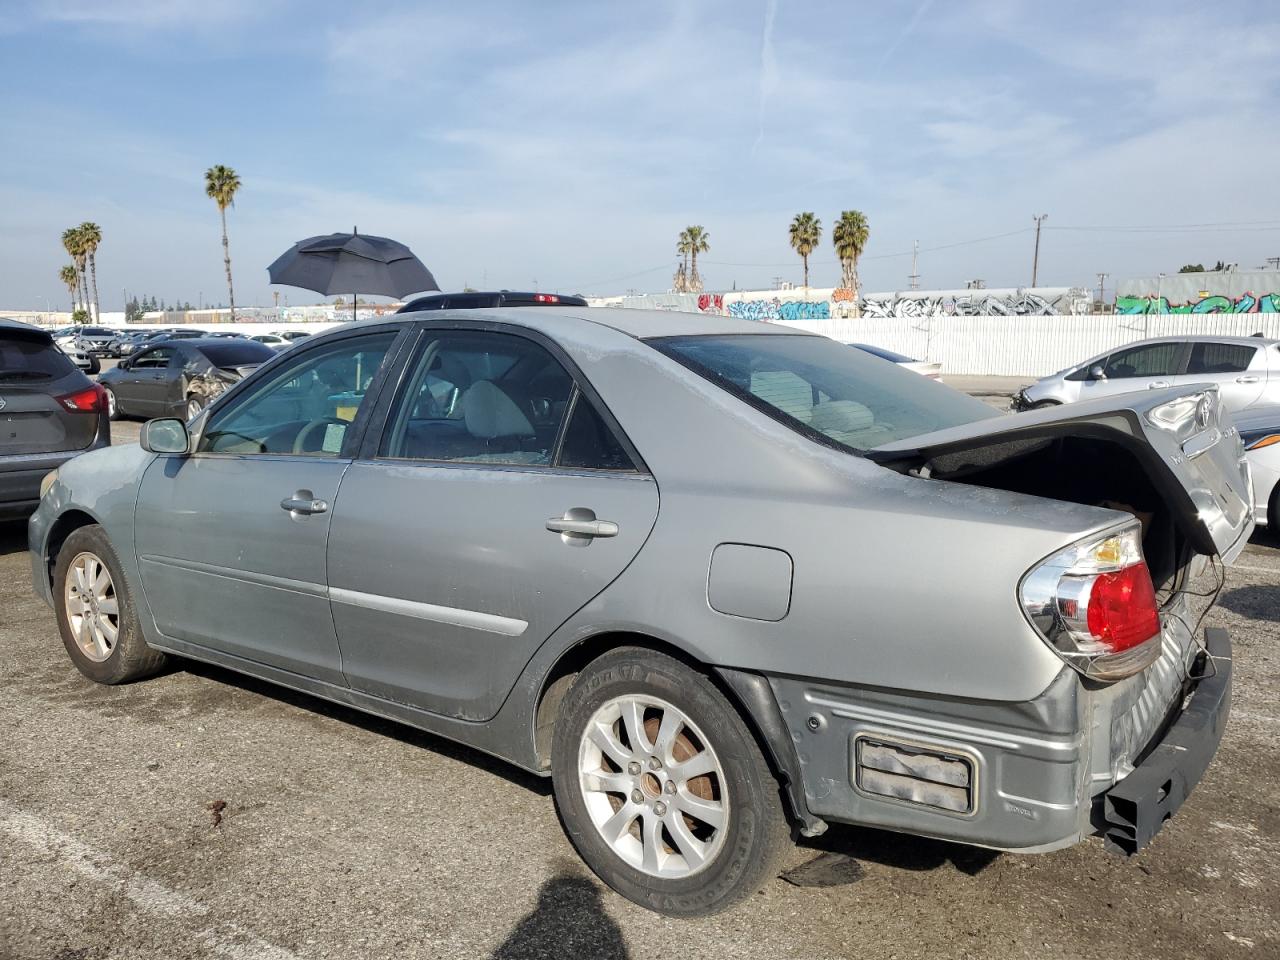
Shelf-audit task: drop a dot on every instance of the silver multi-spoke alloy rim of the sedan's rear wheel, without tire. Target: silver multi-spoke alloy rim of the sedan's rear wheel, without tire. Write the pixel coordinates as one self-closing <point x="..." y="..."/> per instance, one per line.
<point x="653" y="787"/>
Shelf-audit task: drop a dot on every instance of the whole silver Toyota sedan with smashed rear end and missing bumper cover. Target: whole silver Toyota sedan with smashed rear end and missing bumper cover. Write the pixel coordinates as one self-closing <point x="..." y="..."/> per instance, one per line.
<point x="674" y="563"/>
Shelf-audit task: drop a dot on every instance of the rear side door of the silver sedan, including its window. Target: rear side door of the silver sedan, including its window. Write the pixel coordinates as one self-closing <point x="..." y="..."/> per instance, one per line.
<point x="496" y="504"/>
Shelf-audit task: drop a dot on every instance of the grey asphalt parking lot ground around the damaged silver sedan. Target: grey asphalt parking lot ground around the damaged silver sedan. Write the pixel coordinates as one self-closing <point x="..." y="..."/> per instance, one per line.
<point x="205" y="815"/>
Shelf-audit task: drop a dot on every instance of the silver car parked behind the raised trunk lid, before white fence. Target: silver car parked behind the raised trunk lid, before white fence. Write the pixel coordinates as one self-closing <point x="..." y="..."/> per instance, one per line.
<point x="1245" y="369"/>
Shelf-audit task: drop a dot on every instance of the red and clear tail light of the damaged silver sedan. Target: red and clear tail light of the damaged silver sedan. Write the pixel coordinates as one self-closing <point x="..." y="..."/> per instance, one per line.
<point x="1096" y="606"/>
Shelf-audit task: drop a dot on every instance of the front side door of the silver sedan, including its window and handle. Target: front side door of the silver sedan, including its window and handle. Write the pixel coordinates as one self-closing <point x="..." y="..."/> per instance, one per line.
<point x="232" y="540"/>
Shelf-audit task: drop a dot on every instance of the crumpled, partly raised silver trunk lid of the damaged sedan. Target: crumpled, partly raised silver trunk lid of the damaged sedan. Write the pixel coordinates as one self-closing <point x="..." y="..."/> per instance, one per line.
<point x="1182" y="435"/>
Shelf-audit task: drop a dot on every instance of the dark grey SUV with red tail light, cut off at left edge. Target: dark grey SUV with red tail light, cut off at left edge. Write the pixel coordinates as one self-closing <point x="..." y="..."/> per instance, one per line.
<point x="49" y="413"/>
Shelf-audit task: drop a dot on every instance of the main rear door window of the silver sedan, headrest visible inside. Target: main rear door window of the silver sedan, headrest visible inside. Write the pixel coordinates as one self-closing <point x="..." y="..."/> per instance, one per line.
<point x="482" y="399"/>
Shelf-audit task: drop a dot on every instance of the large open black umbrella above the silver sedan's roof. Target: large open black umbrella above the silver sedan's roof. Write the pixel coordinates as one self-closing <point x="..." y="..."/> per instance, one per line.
<point x="353" y="263"/>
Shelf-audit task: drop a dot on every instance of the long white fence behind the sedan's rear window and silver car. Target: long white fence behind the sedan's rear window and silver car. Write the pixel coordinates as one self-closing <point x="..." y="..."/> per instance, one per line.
<point x="1027" y="346"/>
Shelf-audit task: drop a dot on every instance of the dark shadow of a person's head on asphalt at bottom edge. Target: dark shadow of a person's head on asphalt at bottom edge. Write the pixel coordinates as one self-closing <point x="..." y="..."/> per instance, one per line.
<point x="569" y="921"/>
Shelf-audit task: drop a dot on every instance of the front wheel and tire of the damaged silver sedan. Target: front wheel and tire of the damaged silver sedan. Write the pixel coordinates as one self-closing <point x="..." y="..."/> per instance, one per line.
<point x="95" y="611"/>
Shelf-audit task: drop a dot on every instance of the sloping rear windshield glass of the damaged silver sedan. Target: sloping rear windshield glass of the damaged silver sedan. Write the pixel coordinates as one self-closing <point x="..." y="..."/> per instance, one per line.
<point x="824" y="390"/>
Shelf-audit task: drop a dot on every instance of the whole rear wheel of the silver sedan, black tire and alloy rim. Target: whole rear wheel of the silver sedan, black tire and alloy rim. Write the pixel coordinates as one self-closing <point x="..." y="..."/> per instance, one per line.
<point x="662" y="789"/>
